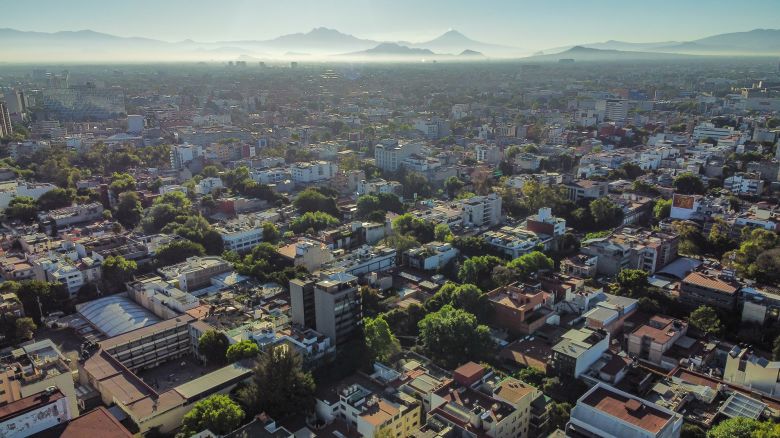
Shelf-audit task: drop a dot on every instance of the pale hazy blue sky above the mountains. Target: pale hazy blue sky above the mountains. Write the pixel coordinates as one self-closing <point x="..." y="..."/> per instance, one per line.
<point x="529" y="24"/>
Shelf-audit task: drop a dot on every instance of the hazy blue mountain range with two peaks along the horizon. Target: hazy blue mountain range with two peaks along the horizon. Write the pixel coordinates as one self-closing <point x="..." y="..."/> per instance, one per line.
<point x="324" y="43"/>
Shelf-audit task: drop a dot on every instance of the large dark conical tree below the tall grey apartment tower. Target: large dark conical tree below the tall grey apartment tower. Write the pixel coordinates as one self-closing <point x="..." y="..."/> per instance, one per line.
<point x="280" y="386"/>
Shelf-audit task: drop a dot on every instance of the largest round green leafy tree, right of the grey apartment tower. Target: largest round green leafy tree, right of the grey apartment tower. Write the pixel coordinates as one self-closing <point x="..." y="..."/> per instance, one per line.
<point x="452" y="336"/>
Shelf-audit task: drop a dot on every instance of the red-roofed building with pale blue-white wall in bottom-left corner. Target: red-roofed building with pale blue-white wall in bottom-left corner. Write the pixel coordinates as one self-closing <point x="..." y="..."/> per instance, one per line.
<point x="35" y="414"/>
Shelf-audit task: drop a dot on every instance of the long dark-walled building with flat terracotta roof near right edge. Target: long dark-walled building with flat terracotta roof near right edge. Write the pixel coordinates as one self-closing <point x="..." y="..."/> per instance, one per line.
<point x="705" y="289"/>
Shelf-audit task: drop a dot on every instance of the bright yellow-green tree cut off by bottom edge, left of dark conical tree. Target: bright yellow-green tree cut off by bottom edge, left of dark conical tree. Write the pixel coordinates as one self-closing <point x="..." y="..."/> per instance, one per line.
<point x="217" y="413"/>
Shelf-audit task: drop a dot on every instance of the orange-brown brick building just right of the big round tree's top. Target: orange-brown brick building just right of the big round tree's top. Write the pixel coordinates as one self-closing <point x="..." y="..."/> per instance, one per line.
<point x="520" y="309"/>
